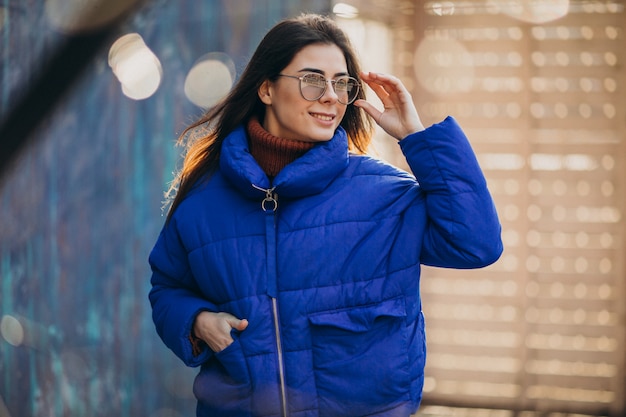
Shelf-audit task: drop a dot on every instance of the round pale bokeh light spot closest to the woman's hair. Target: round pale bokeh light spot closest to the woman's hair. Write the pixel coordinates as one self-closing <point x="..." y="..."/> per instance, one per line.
<point x="210" y="79"/>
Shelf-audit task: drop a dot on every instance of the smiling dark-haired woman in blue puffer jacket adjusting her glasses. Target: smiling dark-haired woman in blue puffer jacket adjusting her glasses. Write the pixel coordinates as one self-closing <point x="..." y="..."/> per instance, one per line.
<point x="288" y="268"/>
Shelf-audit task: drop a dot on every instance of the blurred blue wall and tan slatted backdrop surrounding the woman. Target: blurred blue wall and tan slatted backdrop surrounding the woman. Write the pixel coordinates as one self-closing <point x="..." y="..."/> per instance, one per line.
<point x="93" y="94"/>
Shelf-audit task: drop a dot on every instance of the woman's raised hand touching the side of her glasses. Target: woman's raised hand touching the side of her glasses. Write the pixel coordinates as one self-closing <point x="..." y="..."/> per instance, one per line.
<point x="399" y="117"/>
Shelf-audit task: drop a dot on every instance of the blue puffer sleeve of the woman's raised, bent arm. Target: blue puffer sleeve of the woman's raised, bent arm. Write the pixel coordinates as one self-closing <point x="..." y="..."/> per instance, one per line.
<point x="463" y="230"/>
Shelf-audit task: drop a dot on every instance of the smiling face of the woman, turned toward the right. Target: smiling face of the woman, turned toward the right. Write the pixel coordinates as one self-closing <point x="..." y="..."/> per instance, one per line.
<point x="288" y="115"/>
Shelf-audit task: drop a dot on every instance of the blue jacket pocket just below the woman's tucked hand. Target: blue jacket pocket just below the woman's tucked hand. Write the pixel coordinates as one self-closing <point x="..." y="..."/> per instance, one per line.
<point x="223" y="383"/>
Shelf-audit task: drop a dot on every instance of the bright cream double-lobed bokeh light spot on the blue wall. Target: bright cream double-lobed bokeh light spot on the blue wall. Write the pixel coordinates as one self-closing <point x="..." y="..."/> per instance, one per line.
<point x="135" y="66"/>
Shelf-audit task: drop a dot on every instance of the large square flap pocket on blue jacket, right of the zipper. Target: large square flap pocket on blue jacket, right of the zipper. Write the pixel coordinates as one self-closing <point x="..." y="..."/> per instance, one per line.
<point x="360" y="358"/>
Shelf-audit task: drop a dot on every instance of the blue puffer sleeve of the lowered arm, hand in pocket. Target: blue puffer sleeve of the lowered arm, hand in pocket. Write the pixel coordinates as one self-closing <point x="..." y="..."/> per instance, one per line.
<point x="175" y="297"/>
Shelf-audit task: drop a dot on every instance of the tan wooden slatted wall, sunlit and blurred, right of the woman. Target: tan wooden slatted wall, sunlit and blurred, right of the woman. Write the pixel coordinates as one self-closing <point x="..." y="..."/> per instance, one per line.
<point x="541" y="332"/>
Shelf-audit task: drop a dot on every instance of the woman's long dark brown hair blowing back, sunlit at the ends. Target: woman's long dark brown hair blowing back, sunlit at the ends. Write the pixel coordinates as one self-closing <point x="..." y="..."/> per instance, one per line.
<point x="273" y="54"/>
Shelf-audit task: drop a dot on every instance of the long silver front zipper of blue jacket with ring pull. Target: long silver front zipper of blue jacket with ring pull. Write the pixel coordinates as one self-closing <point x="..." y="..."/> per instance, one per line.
<point x="269" y="206"/>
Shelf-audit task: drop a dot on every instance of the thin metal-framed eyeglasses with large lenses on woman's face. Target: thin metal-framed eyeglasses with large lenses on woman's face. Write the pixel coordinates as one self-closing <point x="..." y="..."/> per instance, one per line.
<point x="313" y="86"/>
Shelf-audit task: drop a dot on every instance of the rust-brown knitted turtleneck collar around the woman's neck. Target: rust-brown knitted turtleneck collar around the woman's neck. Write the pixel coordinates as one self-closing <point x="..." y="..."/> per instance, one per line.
<point x="273" y="153"/>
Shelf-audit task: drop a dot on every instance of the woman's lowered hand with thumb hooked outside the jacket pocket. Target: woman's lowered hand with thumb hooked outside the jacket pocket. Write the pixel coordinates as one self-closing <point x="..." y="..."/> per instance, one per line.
<point x="214" y="329"/>
